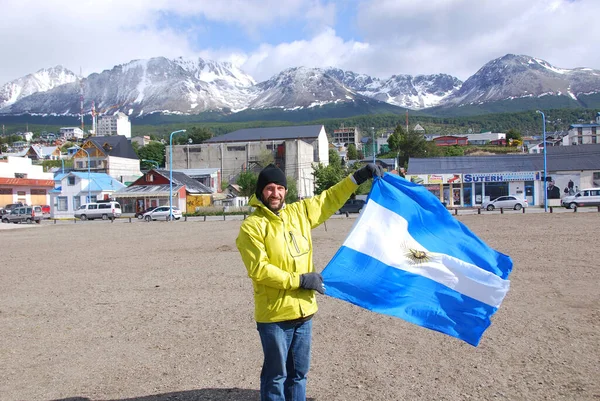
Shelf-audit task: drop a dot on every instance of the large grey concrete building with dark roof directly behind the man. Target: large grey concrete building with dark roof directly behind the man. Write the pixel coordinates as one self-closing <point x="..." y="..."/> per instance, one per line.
<point x="294" y="149"/>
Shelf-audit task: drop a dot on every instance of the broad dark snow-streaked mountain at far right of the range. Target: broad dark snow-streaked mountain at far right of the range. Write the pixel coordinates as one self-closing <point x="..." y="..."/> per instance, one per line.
<point x="513" y="76"/>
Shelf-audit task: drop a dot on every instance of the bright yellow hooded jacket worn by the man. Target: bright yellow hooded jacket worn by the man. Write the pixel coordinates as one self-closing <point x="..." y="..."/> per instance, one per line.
<point x="277" y="249"/>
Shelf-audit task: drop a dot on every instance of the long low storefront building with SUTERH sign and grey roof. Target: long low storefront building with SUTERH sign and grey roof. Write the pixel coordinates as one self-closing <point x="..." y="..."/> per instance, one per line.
<point x="471" y="180"/>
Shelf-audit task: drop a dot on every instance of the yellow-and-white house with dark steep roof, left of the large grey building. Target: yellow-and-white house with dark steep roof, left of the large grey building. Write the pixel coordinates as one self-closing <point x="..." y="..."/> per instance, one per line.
<point x="112" y="155"/>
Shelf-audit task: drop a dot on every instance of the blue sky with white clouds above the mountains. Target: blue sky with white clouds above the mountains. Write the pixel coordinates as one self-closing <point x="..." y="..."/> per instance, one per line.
<point x="262" y="37"/>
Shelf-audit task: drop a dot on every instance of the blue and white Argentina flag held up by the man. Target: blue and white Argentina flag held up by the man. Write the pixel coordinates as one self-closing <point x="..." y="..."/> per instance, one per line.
<point x="408" y="257"/>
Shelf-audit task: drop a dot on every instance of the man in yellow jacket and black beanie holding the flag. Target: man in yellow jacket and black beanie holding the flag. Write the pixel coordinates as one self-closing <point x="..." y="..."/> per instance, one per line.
<point x="276" y="246"/>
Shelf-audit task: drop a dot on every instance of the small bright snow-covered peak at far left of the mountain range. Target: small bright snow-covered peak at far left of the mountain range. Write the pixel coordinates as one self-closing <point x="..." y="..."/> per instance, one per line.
<point x="41" y="81"/>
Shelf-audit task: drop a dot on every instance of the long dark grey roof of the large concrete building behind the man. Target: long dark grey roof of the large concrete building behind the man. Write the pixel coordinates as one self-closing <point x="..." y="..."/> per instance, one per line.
<point x="269" y="133"/>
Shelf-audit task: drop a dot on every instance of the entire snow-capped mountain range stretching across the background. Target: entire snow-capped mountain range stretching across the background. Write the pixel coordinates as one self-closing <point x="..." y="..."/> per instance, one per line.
<point x="181" y="86"/>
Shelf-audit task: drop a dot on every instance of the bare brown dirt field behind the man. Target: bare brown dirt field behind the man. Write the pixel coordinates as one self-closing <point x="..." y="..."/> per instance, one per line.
<point x="164" y="311"/>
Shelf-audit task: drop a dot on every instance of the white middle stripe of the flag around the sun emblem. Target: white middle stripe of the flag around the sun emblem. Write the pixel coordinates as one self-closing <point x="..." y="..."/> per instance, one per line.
<point x="383" y="235"/>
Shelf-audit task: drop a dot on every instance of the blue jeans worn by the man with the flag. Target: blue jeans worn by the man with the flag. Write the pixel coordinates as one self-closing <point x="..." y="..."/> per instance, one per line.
<point x="286" y="347"/>
